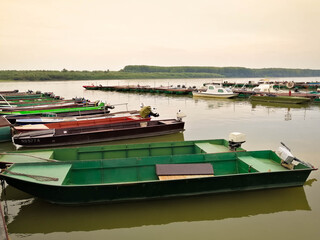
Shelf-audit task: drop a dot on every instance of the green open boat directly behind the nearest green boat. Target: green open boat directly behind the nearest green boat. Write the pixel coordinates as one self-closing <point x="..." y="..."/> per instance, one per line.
<point x="118" y="151"/>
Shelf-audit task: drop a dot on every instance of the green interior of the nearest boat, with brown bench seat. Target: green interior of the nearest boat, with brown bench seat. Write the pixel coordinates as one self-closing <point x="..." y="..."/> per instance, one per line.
<point x="144" y="169"/>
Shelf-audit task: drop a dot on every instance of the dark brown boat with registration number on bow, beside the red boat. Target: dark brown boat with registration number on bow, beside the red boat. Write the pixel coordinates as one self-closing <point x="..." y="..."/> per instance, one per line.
<point x="90" y="134"/>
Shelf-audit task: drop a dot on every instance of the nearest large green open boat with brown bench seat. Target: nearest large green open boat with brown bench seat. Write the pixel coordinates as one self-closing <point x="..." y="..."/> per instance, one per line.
<point x="144" y="178"/>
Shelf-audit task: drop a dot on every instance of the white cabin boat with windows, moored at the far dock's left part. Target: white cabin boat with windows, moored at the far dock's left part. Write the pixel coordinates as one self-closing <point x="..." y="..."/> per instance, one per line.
<point x="216" y="92"/>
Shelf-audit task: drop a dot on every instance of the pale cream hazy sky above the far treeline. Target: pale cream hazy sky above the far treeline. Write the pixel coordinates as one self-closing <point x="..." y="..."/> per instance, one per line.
<point x="110" y="34"/>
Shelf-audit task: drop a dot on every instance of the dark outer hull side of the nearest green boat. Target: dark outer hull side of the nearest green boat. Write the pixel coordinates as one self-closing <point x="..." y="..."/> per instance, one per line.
<point x="68" y="195"/>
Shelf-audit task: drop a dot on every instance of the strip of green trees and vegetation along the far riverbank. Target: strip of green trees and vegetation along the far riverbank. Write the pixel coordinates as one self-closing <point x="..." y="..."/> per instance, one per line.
<point x="155" y="72"/>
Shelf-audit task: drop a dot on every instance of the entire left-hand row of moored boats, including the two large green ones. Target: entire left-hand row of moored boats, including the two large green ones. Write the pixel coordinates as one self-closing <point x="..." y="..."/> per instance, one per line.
<point x="112" y="173"/>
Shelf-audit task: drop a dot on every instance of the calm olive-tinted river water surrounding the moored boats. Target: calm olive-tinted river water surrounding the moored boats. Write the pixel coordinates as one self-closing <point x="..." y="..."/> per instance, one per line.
<point x="288" y="213"/>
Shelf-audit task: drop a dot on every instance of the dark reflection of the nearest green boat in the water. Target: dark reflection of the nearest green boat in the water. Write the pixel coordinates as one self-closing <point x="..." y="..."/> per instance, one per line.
<point x="57" y="218"/>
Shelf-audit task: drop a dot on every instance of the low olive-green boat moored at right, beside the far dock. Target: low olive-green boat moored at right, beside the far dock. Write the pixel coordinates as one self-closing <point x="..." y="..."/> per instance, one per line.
<point x="279" y="99"/>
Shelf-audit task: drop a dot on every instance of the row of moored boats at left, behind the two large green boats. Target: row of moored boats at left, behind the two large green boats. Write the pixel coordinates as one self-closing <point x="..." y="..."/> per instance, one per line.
<point x="78" y="123"/>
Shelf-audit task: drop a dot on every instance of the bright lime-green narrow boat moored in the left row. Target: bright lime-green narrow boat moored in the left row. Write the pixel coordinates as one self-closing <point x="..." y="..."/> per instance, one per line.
<point x="56" y="110"/>
